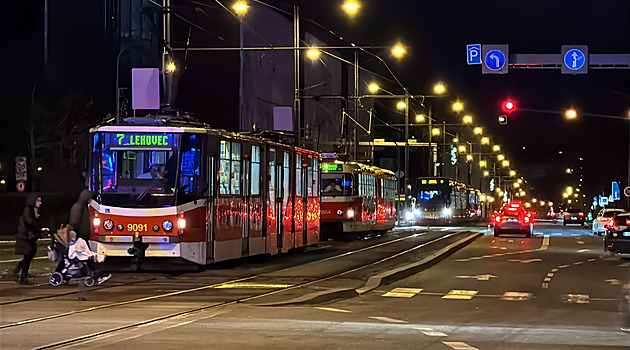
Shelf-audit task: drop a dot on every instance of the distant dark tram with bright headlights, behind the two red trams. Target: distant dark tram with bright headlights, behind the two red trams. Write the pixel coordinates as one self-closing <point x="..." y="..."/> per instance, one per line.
<point x="438" y="200"/>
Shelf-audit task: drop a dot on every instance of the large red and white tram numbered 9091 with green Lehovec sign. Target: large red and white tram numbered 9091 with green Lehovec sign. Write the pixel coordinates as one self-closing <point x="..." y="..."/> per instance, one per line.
<point x="168" y="187"/>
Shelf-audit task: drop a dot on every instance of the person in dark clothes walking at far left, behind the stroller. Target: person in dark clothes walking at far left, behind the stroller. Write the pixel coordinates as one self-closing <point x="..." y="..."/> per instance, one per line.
<point x="29" y="231"/>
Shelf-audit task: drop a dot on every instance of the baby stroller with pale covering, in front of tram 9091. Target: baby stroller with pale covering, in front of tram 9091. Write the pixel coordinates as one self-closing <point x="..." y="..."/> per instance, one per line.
<point x="75" y="259"/>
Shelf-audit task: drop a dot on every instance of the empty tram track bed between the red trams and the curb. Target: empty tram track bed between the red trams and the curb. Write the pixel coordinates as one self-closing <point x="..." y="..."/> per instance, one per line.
<point x="158" y="304"/>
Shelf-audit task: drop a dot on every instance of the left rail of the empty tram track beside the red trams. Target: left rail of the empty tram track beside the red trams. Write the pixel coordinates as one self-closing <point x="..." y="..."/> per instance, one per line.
<point x="189" y="290"/>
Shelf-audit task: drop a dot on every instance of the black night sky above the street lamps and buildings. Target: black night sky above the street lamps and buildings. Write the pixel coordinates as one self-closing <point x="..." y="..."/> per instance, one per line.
<point x="436" y="33"/>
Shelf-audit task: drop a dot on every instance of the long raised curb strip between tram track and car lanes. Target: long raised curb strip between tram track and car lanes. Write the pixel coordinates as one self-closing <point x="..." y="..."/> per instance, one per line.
<point x="377" y="280"/>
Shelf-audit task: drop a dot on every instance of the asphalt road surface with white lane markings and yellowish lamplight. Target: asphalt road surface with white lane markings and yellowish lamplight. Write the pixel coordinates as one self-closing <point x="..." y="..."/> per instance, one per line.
<point x="554" y="291"/>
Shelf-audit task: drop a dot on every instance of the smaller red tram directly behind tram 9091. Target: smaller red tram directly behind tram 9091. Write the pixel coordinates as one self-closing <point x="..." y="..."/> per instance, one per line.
<point x="357" y="198"/>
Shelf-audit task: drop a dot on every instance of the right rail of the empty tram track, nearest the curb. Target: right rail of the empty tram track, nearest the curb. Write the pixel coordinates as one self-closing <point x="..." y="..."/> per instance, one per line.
<point x="83" y="339"/>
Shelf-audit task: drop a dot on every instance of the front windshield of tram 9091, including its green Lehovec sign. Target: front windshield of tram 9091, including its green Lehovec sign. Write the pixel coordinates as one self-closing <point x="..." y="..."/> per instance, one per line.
<point x="145" y="170"/>
